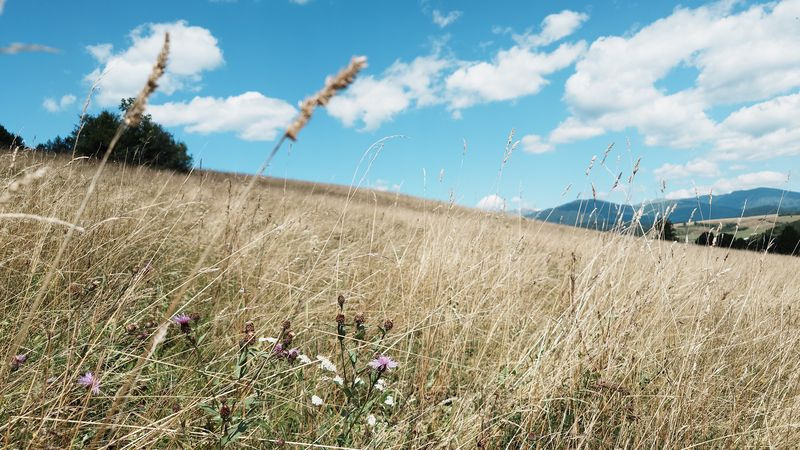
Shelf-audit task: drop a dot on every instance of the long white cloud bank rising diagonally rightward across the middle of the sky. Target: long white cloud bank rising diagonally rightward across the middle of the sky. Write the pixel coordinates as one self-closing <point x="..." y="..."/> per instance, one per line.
<point x="512" y="73"/>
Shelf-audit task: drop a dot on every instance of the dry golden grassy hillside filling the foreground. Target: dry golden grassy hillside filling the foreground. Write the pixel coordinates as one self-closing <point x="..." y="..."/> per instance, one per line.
<point x="507" y="333"/>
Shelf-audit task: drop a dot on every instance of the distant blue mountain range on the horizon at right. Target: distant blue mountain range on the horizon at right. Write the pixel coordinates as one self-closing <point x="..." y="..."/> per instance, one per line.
<point x="600" y="214"/>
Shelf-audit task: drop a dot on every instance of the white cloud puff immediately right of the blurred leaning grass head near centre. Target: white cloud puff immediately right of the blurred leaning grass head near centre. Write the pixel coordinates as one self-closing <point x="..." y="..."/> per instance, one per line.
<point x="373" y="101"/>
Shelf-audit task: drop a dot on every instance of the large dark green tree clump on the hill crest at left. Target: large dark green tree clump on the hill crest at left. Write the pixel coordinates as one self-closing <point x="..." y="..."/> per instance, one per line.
<point x="148" y="143"/>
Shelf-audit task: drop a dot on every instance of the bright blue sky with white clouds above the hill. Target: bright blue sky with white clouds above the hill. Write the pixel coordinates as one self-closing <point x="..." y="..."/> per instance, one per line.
<point x="707" y="94"/>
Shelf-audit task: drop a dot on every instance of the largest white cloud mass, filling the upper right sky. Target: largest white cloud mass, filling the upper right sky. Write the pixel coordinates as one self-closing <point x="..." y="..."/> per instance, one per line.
<point x="616" y="85"/>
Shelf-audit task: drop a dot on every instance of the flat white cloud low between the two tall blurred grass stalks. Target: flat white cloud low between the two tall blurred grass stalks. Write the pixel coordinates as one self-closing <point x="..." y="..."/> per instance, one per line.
<point x="251" y="115"/>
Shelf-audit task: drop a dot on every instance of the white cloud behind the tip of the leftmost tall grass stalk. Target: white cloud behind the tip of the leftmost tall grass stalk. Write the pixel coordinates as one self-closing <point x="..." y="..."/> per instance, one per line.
<point x="193" y="50"/>
